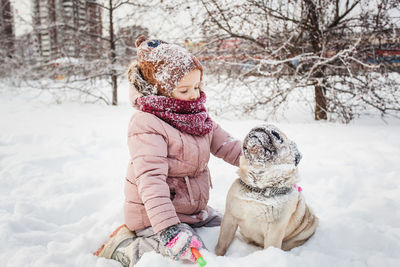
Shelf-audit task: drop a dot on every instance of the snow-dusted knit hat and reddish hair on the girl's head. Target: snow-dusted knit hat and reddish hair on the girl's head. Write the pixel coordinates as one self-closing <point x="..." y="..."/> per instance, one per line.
<point x="163" y="65"/>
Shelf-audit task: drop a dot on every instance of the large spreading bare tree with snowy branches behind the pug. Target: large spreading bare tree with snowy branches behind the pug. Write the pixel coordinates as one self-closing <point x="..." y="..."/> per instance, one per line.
<point x="329" y="46"/>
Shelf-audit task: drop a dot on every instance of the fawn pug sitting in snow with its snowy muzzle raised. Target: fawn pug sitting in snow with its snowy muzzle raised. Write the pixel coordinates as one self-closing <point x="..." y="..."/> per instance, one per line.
<point x="265" y="202"/>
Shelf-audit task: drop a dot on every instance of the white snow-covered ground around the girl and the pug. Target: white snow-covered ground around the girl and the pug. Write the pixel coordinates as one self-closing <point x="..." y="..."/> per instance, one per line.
<point x="62" y="169"/>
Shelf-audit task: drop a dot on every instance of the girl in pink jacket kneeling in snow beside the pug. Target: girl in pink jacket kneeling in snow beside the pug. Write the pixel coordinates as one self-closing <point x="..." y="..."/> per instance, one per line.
<point x="170" y="139"/>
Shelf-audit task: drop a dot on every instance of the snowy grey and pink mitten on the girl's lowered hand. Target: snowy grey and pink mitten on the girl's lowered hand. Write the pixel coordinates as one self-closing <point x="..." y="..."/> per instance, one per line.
<point x="178" y="241"/>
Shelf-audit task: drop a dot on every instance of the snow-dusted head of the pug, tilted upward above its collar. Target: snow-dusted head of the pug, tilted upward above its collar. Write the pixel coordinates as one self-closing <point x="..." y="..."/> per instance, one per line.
<point x="267" y="150"/>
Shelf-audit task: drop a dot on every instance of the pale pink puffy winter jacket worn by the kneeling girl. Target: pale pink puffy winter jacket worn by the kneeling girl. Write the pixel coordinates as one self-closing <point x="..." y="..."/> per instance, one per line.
<point x="168" y="180"/>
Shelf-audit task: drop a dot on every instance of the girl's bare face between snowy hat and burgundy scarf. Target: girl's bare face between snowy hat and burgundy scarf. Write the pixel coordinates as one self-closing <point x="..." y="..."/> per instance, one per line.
<point x="189" y="87"/>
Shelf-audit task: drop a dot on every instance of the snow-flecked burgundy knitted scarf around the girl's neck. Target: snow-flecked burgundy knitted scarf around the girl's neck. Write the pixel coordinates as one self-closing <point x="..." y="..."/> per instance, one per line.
<point x="187" y="116"/>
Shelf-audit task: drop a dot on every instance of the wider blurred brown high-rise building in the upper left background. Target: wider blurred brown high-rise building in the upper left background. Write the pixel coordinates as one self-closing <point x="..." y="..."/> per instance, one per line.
<point x="67" y="28"/>
